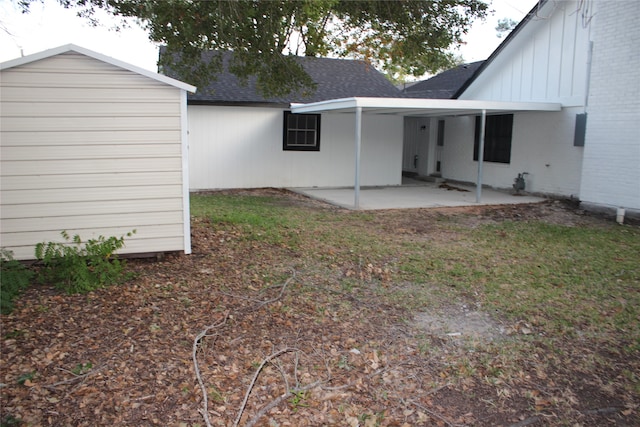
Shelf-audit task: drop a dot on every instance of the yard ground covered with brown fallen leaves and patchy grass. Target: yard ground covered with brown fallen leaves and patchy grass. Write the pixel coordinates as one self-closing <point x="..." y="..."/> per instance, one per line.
<point x="291" y="312"/>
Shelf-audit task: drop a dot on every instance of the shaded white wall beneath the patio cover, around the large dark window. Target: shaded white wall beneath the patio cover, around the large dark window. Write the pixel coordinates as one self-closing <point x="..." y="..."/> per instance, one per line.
<point x="542" y="146"/>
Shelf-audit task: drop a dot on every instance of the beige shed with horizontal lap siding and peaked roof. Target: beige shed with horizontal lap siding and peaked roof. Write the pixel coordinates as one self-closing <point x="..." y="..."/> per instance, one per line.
<point x="94" y="146"/>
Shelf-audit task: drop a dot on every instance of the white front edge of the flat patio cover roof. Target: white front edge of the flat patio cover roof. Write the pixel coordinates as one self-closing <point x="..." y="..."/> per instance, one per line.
<point x="404" y="106"/>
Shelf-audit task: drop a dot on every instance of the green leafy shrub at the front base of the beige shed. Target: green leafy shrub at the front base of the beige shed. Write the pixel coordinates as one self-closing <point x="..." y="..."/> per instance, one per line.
<point x="80" y="267"/>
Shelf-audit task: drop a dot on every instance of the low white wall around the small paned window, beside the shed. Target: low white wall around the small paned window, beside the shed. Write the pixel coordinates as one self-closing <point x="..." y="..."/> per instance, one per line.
<point x="241" y="147"/>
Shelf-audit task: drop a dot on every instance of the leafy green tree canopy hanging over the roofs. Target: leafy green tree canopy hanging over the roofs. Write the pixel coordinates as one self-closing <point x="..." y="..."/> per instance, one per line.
<point x="408" y="36"/>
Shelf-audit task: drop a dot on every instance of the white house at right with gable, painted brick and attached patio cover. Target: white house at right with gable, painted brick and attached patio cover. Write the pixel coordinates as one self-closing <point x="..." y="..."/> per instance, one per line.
<point x="558" y="102"/>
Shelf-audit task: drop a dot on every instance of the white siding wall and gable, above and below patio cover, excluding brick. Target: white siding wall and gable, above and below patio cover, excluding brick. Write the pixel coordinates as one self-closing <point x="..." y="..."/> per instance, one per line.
<point x="546" y="61"/>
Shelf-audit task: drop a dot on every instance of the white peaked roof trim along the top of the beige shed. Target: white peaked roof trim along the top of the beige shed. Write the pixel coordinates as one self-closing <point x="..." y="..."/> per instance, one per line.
<point x="100" y="57"/>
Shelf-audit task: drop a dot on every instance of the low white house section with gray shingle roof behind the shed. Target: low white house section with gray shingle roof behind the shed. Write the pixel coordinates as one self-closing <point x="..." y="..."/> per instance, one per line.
<point x="239" y="139"/>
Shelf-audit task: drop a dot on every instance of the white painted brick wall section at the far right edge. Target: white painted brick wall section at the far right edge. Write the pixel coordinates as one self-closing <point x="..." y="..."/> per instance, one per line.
<point x="611" y="170"/>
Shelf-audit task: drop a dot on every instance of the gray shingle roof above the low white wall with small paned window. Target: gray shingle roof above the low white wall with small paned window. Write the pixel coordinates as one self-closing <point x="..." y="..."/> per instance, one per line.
<point x="335" y="78"/>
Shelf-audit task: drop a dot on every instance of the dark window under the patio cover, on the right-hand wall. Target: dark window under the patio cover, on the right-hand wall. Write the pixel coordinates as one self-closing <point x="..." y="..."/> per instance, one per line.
<point x="497" y="138"/>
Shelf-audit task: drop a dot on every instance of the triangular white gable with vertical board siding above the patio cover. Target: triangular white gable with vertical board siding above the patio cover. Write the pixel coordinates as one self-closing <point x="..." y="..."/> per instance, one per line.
<point x="546" y="61"/>
